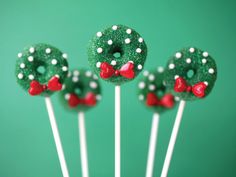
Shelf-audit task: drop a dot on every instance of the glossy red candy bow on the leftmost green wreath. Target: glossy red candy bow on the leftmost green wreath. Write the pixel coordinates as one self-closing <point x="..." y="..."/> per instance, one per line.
<point x="36" y="88"/>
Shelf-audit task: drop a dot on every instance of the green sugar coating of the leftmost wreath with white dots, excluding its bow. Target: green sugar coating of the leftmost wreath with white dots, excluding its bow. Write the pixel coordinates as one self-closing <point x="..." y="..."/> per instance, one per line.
<point x="40" y="62"/>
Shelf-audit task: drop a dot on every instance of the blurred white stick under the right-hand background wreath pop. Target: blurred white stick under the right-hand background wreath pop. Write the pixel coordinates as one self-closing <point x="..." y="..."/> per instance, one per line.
<point x="152" y="145"/>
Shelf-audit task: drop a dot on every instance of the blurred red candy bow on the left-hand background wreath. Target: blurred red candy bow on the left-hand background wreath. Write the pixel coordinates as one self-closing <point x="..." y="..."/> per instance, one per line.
<point x="89" y="100"/>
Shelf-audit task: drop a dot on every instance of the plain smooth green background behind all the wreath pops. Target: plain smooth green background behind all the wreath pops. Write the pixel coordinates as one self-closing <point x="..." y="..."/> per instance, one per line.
<point x="206" y="144"/>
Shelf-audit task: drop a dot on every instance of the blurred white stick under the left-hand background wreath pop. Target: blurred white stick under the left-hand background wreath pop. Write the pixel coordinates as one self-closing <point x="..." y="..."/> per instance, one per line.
<point x="83" y="145"/>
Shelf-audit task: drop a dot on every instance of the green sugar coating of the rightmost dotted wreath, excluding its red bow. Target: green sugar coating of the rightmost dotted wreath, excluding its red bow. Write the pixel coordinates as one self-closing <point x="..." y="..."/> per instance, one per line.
<point x="194" y="65"/>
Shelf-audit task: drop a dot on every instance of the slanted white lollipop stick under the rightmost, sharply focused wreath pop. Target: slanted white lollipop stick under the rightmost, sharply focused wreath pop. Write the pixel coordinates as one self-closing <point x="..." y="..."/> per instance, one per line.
<point x="173" y="139"/>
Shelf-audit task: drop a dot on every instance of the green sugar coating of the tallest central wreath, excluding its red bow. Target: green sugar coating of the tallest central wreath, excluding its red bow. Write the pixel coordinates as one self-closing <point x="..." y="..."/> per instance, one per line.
<point x="117" y="45"/>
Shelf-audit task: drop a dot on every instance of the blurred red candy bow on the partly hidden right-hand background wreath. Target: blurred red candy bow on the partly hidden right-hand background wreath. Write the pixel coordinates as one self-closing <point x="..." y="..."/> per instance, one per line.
<point x="166" y="101"/>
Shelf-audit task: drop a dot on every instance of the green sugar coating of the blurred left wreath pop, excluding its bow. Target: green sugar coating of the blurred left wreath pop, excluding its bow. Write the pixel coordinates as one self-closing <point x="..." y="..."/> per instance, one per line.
<point x="80" y="82"/>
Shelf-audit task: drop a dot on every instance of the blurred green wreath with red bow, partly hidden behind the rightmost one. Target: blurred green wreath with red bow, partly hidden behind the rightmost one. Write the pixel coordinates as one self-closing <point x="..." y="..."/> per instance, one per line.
<point x="153" y="93"/>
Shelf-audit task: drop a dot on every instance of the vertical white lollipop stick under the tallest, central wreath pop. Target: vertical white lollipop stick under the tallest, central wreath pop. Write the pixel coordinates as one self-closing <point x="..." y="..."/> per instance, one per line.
<point x="117" y="131"/>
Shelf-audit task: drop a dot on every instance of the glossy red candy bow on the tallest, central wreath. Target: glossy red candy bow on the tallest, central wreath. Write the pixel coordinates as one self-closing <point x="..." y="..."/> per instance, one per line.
<point x="108" y="71"/>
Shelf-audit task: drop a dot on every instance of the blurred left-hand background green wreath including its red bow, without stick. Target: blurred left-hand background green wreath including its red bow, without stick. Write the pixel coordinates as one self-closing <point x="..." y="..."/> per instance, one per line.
<point x="81" y="90"/>
